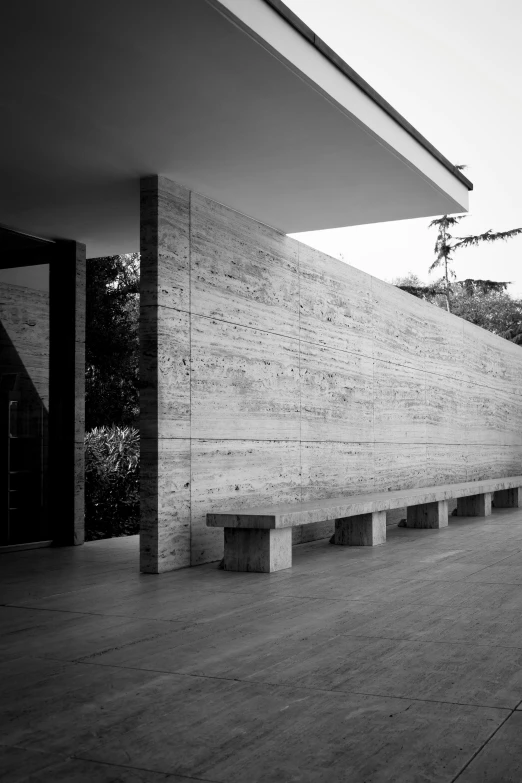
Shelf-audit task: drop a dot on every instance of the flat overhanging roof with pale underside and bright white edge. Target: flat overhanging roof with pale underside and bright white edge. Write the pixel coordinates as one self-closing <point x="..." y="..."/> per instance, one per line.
<point x="236" y="99"/>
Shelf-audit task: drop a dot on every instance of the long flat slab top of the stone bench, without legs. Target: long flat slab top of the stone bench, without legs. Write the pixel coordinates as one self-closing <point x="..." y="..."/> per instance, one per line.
<point x="294" y="514"/>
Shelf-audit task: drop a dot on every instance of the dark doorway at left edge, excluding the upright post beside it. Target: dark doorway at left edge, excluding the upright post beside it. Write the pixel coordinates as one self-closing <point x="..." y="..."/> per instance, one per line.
<point x="24" y="390"/>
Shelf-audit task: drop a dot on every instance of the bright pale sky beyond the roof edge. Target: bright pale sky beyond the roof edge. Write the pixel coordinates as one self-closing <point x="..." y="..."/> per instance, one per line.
<point x="453" y="69"/>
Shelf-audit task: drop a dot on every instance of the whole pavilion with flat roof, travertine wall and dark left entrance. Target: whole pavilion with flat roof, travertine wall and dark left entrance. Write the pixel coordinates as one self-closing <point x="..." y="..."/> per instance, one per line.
<point x="202" y="133"/>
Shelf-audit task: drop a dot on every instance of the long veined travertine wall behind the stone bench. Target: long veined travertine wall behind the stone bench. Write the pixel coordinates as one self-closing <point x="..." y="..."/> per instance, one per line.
<point x="272" y="372"/>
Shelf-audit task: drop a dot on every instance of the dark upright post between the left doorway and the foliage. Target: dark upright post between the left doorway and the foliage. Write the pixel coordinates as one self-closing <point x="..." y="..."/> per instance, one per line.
<point x="67" y="392"/>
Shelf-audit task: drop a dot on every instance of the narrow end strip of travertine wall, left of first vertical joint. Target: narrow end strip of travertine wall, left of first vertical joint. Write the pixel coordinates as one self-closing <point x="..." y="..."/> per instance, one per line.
<point x="164" y="376"/>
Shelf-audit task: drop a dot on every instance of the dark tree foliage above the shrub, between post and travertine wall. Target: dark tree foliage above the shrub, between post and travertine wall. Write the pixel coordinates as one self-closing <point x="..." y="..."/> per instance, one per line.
<point x="112" y="341"/>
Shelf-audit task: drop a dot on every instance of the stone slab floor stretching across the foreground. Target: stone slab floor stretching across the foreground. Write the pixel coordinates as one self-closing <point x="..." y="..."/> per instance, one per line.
<point x="398" y="663"/>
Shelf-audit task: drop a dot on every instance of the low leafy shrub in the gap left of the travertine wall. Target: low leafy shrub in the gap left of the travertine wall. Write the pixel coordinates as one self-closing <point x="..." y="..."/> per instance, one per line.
<point x="112" y="464"/>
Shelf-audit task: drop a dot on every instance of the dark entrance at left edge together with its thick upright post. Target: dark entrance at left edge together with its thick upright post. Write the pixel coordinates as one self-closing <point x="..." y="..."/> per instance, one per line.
<point x="42" y="369"/>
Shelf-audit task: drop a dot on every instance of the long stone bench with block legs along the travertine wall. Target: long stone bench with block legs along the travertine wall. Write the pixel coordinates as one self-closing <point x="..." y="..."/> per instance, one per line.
<point x="260" y="539"/>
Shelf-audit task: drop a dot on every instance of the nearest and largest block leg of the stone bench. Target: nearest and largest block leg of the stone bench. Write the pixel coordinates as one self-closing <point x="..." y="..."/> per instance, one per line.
<point x="262" y="551"/>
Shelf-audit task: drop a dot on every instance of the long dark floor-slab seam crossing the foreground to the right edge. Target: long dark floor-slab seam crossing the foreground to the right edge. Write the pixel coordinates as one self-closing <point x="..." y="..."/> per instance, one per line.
<point x="305" y="688"/>
